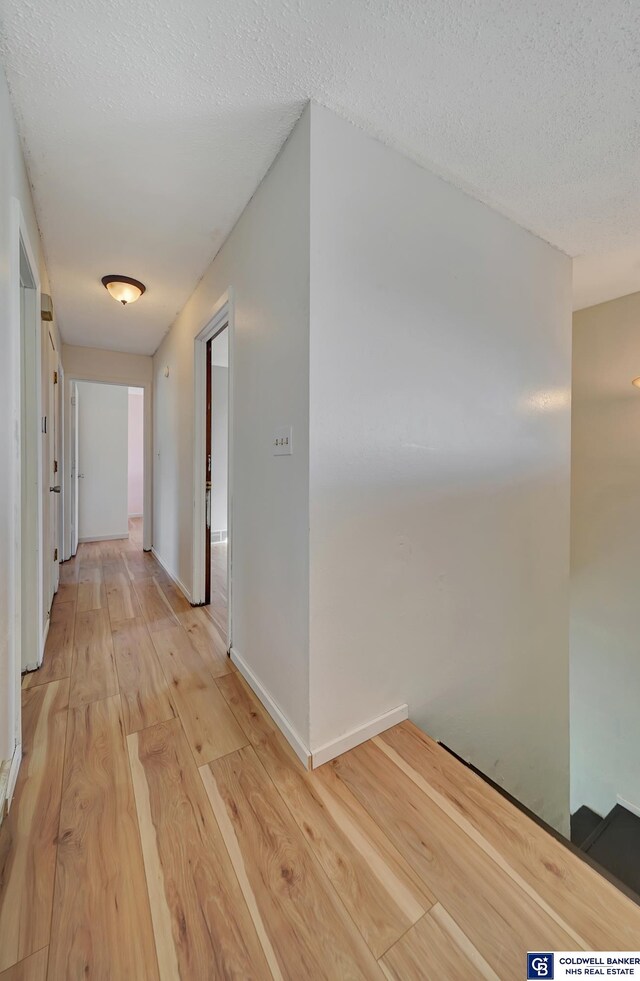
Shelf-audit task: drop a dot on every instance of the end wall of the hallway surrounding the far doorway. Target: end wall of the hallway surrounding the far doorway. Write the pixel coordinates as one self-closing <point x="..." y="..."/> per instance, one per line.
<point x="117" y="368"/>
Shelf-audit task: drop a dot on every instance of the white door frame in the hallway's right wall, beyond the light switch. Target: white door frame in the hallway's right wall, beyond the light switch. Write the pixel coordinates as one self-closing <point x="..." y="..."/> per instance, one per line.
<point x="222" y="317"/>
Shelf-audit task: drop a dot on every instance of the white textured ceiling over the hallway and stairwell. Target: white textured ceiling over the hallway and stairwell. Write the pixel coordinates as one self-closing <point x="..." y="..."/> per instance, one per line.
<point x="148" y="124"/>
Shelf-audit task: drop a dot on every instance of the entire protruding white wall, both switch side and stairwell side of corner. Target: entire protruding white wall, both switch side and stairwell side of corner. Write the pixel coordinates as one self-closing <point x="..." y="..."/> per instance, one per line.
<point x="423" y="342"/>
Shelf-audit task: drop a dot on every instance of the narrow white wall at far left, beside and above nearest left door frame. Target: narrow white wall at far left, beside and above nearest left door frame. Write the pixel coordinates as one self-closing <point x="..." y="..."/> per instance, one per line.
<point x="14" y="190"/>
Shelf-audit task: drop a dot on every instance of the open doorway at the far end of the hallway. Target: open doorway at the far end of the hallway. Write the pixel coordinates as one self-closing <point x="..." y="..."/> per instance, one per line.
<point x="106" y="462"/>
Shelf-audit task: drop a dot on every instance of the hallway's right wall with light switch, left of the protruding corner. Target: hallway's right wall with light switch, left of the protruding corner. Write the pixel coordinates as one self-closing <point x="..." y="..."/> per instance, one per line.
<point x="266" y="262"/>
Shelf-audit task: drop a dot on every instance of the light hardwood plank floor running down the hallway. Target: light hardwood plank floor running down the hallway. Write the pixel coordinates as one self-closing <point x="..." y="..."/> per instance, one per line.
<point x="162" y="827"/>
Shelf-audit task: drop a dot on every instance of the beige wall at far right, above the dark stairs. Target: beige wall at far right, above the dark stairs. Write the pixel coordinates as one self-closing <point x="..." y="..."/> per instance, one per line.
<point x="605" y="544"/>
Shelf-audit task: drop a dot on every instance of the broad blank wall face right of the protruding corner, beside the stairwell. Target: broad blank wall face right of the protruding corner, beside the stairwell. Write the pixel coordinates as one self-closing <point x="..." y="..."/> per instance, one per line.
<point x="439" y="467"/>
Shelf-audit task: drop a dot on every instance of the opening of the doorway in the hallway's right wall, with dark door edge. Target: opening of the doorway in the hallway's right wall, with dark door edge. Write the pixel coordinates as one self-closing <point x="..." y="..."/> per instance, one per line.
<point x="217" y="463"/>
